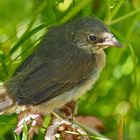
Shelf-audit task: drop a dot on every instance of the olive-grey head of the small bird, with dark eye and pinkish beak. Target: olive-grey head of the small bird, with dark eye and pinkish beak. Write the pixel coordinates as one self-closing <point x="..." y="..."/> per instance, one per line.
<point x="93" y="35"/>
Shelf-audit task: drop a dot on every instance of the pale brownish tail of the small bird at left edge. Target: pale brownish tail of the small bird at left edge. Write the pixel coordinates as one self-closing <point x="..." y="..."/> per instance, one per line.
<point x="5" y="100"/>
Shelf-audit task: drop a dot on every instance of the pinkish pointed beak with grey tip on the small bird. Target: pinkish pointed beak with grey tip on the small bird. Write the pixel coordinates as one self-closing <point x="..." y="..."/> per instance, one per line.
<point x="111" y="41"/>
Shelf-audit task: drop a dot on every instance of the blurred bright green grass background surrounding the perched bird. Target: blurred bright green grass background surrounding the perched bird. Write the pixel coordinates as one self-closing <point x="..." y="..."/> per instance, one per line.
<point x="115" y="97"/>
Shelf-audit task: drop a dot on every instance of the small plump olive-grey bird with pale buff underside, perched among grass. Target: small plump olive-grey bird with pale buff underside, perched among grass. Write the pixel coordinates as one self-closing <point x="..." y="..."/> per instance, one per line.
<point x="66" y="64"/>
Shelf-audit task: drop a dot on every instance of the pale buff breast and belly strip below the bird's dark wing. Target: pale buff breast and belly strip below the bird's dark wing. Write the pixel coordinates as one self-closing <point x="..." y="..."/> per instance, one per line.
<point x="77" y="91"/>
